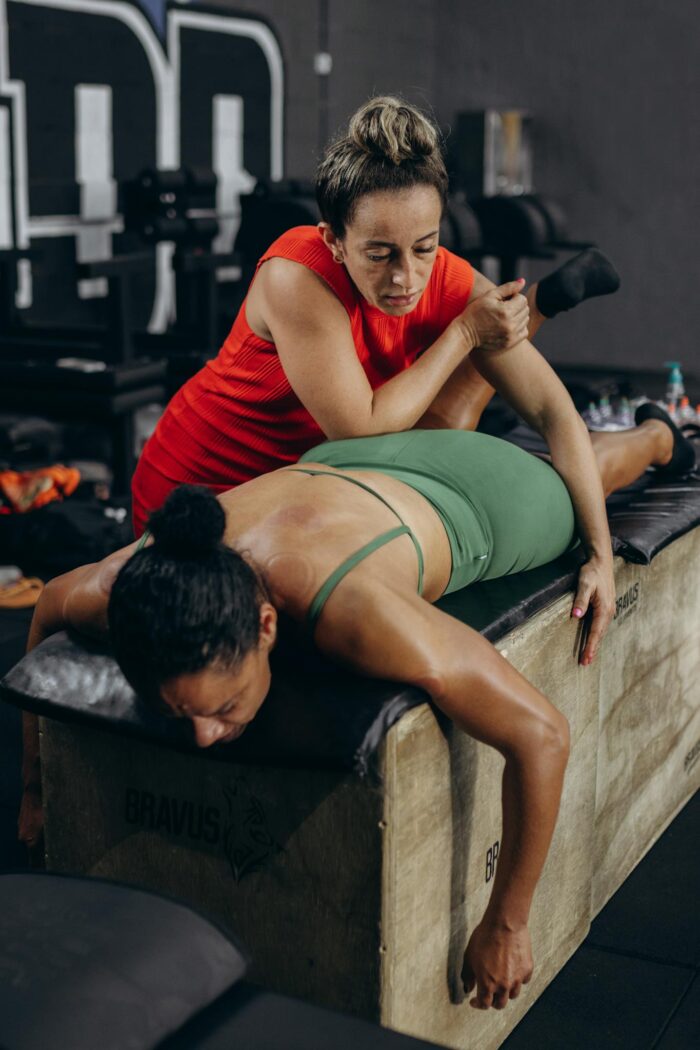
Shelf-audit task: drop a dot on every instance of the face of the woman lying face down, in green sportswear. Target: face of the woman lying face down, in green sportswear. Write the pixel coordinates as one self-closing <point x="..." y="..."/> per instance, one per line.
<point x="222" y="703"/>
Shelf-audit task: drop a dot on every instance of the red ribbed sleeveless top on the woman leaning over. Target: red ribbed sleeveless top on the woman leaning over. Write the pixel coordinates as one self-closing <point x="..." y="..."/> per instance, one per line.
<point x="239" y="417"/>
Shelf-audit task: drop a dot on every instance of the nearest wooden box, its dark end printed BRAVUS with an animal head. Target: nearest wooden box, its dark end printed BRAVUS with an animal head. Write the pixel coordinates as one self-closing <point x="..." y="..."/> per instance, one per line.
<point x="357" y="897"/>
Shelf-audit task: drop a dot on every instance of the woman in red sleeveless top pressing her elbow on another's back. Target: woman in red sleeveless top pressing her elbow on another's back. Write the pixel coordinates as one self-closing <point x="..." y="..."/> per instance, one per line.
<point x="353" y="328"/>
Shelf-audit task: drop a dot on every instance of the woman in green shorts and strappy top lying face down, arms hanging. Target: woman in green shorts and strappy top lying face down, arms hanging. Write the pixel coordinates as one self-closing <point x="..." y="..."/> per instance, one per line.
<point x="357" y="541"/>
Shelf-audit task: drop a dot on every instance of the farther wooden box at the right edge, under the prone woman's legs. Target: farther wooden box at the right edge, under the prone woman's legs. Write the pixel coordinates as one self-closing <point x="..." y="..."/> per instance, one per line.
<point x="649" y="749"/>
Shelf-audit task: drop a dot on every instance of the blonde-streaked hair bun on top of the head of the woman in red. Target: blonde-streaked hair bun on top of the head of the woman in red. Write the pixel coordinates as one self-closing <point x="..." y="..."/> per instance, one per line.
<point x="387" y="127"/>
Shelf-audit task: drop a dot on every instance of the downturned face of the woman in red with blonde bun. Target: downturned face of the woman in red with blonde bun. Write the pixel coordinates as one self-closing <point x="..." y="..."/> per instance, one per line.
<point x="390" y="247"/>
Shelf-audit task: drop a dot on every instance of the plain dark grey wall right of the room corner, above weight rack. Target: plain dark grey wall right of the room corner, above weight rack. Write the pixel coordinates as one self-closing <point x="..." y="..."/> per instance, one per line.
<point x="614" y="88"/>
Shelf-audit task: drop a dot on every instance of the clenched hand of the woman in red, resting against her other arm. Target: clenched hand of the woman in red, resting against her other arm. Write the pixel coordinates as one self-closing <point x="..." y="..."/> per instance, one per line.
<point x="498" y="320"/>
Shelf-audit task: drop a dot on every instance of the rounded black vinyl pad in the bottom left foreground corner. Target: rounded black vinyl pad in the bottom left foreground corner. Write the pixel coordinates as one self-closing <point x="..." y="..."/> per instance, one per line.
<point x="90" y="964"/>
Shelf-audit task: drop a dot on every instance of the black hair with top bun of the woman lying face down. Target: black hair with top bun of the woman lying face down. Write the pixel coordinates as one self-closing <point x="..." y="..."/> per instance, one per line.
<point x="185" y="603"/>
